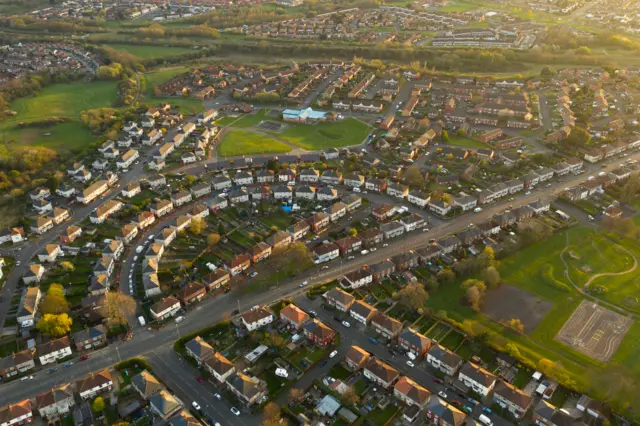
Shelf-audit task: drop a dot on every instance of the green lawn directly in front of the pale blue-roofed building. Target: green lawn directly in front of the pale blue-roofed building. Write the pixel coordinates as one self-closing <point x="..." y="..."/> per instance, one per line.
<point x="326" y="135"/>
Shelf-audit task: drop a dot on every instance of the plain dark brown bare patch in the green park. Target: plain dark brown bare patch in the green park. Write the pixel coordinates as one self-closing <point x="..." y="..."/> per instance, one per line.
<point x="507" y="302"/>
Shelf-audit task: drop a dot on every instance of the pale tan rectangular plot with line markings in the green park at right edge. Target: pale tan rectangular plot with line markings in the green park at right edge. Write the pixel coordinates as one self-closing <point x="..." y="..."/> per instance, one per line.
<point x="594" y="331"/>
